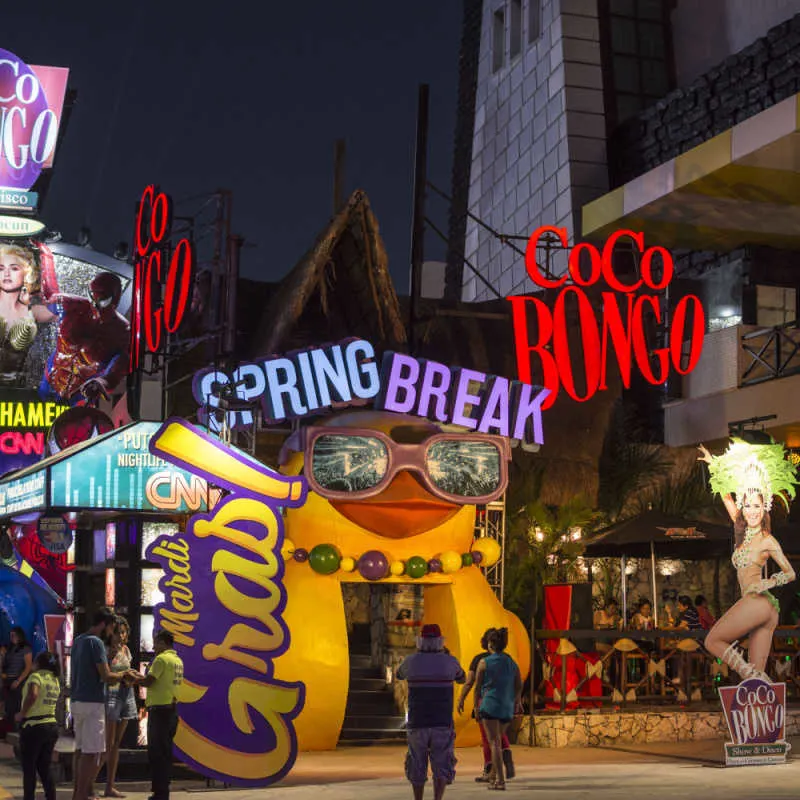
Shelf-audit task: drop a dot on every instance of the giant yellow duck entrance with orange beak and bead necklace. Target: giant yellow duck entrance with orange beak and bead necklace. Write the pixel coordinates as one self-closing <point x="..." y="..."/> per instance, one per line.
<point x="410" y="526"/>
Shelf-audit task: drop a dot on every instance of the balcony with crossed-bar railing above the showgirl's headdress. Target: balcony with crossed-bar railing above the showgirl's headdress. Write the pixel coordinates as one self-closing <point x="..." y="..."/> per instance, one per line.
<point x="744" y="372"/>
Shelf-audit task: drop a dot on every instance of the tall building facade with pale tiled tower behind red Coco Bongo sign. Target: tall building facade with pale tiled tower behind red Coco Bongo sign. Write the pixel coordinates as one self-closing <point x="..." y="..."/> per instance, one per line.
<point x="678" y="119"/>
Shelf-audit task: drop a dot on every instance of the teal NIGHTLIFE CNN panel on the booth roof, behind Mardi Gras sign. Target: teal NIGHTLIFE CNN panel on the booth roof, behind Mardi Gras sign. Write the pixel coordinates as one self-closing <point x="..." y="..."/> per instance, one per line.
<point x="119" y="472"/>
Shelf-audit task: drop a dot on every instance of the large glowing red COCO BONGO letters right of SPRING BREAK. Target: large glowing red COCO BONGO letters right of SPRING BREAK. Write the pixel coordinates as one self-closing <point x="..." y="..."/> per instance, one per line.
<point x="624" y="319"/>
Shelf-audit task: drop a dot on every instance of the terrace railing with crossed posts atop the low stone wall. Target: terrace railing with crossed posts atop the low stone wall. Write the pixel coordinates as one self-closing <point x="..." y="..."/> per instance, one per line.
<point x="658" y="667"/>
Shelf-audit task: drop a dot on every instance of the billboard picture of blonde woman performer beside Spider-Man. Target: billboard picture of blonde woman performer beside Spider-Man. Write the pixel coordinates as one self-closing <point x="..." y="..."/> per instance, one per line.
<point x="60" y="331"/>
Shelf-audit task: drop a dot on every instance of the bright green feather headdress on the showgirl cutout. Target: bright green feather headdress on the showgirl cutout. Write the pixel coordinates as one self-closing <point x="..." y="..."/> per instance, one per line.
<point x="745" y="469"/>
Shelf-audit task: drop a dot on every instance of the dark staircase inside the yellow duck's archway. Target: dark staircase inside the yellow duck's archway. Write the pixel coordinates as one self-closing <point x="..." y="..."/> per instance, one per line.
<point x="370" y="716"/>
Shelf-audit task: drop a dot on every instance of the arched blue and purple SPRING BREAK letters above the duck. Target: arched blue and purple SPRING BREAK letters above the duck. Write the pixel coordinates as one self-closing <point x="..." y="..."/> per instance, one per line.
<point x="347" y="374"/>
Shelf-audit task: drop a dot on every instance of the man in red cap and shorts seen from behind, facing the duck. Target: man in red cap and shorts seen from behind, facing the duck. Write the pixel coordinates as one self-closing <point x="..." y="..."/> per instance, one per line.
<point x="430" y="673"/>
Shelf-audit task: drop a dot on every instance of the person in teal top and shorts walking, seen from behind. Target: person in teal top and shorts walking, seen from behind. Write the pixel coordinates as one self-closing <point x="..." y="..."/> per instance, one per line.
<point x="498" y="683"/>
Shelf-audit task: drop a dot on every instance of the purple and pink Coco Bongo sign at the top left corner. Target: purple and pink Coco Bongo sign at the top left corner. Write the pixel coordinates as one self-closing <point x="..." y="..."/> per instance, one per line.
<point x="31" y="101"/>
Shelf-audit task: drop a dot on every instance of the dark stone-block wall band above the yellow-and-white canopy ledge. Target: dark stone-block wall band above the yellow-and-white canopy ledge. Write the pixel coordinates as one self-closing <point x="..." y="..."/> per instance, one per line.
<point x="760" y="75"/>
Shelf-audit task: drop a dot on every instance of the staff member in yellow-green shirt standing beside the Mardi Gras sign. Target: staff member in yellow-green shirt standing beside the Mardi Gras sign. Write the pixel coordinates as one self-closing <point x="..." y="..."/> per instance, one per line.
<point x="162" y="681"/>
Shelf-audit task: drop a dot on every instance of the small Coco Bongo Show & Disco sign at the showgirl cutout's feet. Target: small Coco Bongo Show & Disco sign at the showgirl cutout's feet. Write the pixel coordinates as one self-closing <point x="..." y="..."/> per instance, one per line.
<point x="756" y="715"/>
